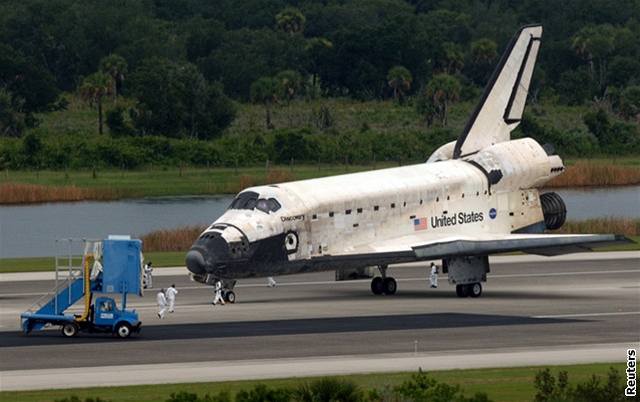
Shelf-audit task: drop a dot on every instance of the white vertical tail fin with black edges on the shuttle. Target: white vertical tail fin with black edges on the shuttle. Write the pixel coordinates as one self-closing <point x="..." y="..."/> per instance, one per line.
<point x="500" y="109"/>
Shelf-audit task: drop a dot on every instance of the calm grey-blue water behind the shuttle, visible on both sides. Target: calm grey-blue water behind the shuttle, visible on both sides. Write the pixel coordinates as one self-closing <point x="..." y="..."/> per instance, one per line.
<point x="31" y="230"/>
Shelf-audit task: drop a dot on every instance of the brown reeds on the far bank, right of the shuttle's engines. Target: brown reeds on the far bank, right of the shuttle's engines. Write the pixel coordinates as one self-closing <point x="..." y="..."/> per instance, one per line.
<point x="584" y="174"/>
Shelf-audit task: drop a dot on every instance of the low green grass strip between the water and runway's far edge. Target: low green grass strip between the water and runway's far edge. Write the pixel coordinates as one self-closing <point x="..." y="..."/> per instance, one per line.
<point x="176" y="258"/>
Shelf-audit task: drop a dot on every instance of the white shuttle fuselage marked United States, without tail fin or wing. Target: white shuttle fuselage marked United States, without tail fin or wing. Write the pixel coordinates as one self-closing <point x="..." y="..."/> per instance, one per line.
<point x="335" y="215"/>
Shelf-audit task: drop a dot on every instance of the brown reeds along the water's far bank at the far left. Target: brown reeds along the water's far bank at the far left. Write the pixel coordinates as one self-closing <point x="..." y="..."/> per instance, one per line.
<point x="19" y="193"/>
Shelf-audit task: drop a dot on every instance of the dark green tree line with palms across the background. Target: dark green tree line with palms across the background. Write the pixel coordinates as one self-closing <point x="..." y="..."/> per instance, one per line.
<point x="186" y="65"/>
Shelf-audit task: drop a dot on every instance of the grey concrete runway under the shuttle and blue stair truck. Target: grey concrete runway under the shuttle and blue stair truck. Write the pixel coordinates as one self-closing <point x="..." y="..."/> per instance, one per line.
<point x="568" y="310"/>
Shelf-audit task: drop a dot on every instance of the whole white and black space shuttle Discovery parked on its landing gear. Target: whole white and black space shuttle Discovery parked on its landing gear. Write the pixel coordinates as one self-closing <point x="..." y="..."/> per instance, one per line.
<point x="474" y="197"/>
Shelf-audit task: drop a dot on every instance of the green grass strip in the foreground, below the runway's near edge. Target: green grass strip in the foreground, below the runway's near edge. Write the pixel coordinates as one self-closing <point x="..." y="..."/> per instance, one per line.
<point x="500" y="384"/>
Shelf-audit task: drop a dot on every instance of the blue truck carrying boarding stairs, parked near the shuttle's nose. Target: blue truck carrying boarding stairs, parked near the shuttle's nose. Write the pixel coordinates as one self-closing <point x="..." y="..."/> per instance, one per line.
<point x="107" y="267"/>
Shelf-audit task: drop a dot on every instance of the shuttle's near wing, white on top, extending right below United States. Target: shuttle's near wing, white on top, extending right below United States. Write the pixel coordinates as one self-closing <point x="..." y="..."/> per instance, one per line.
<point x="428" y="247"/>
